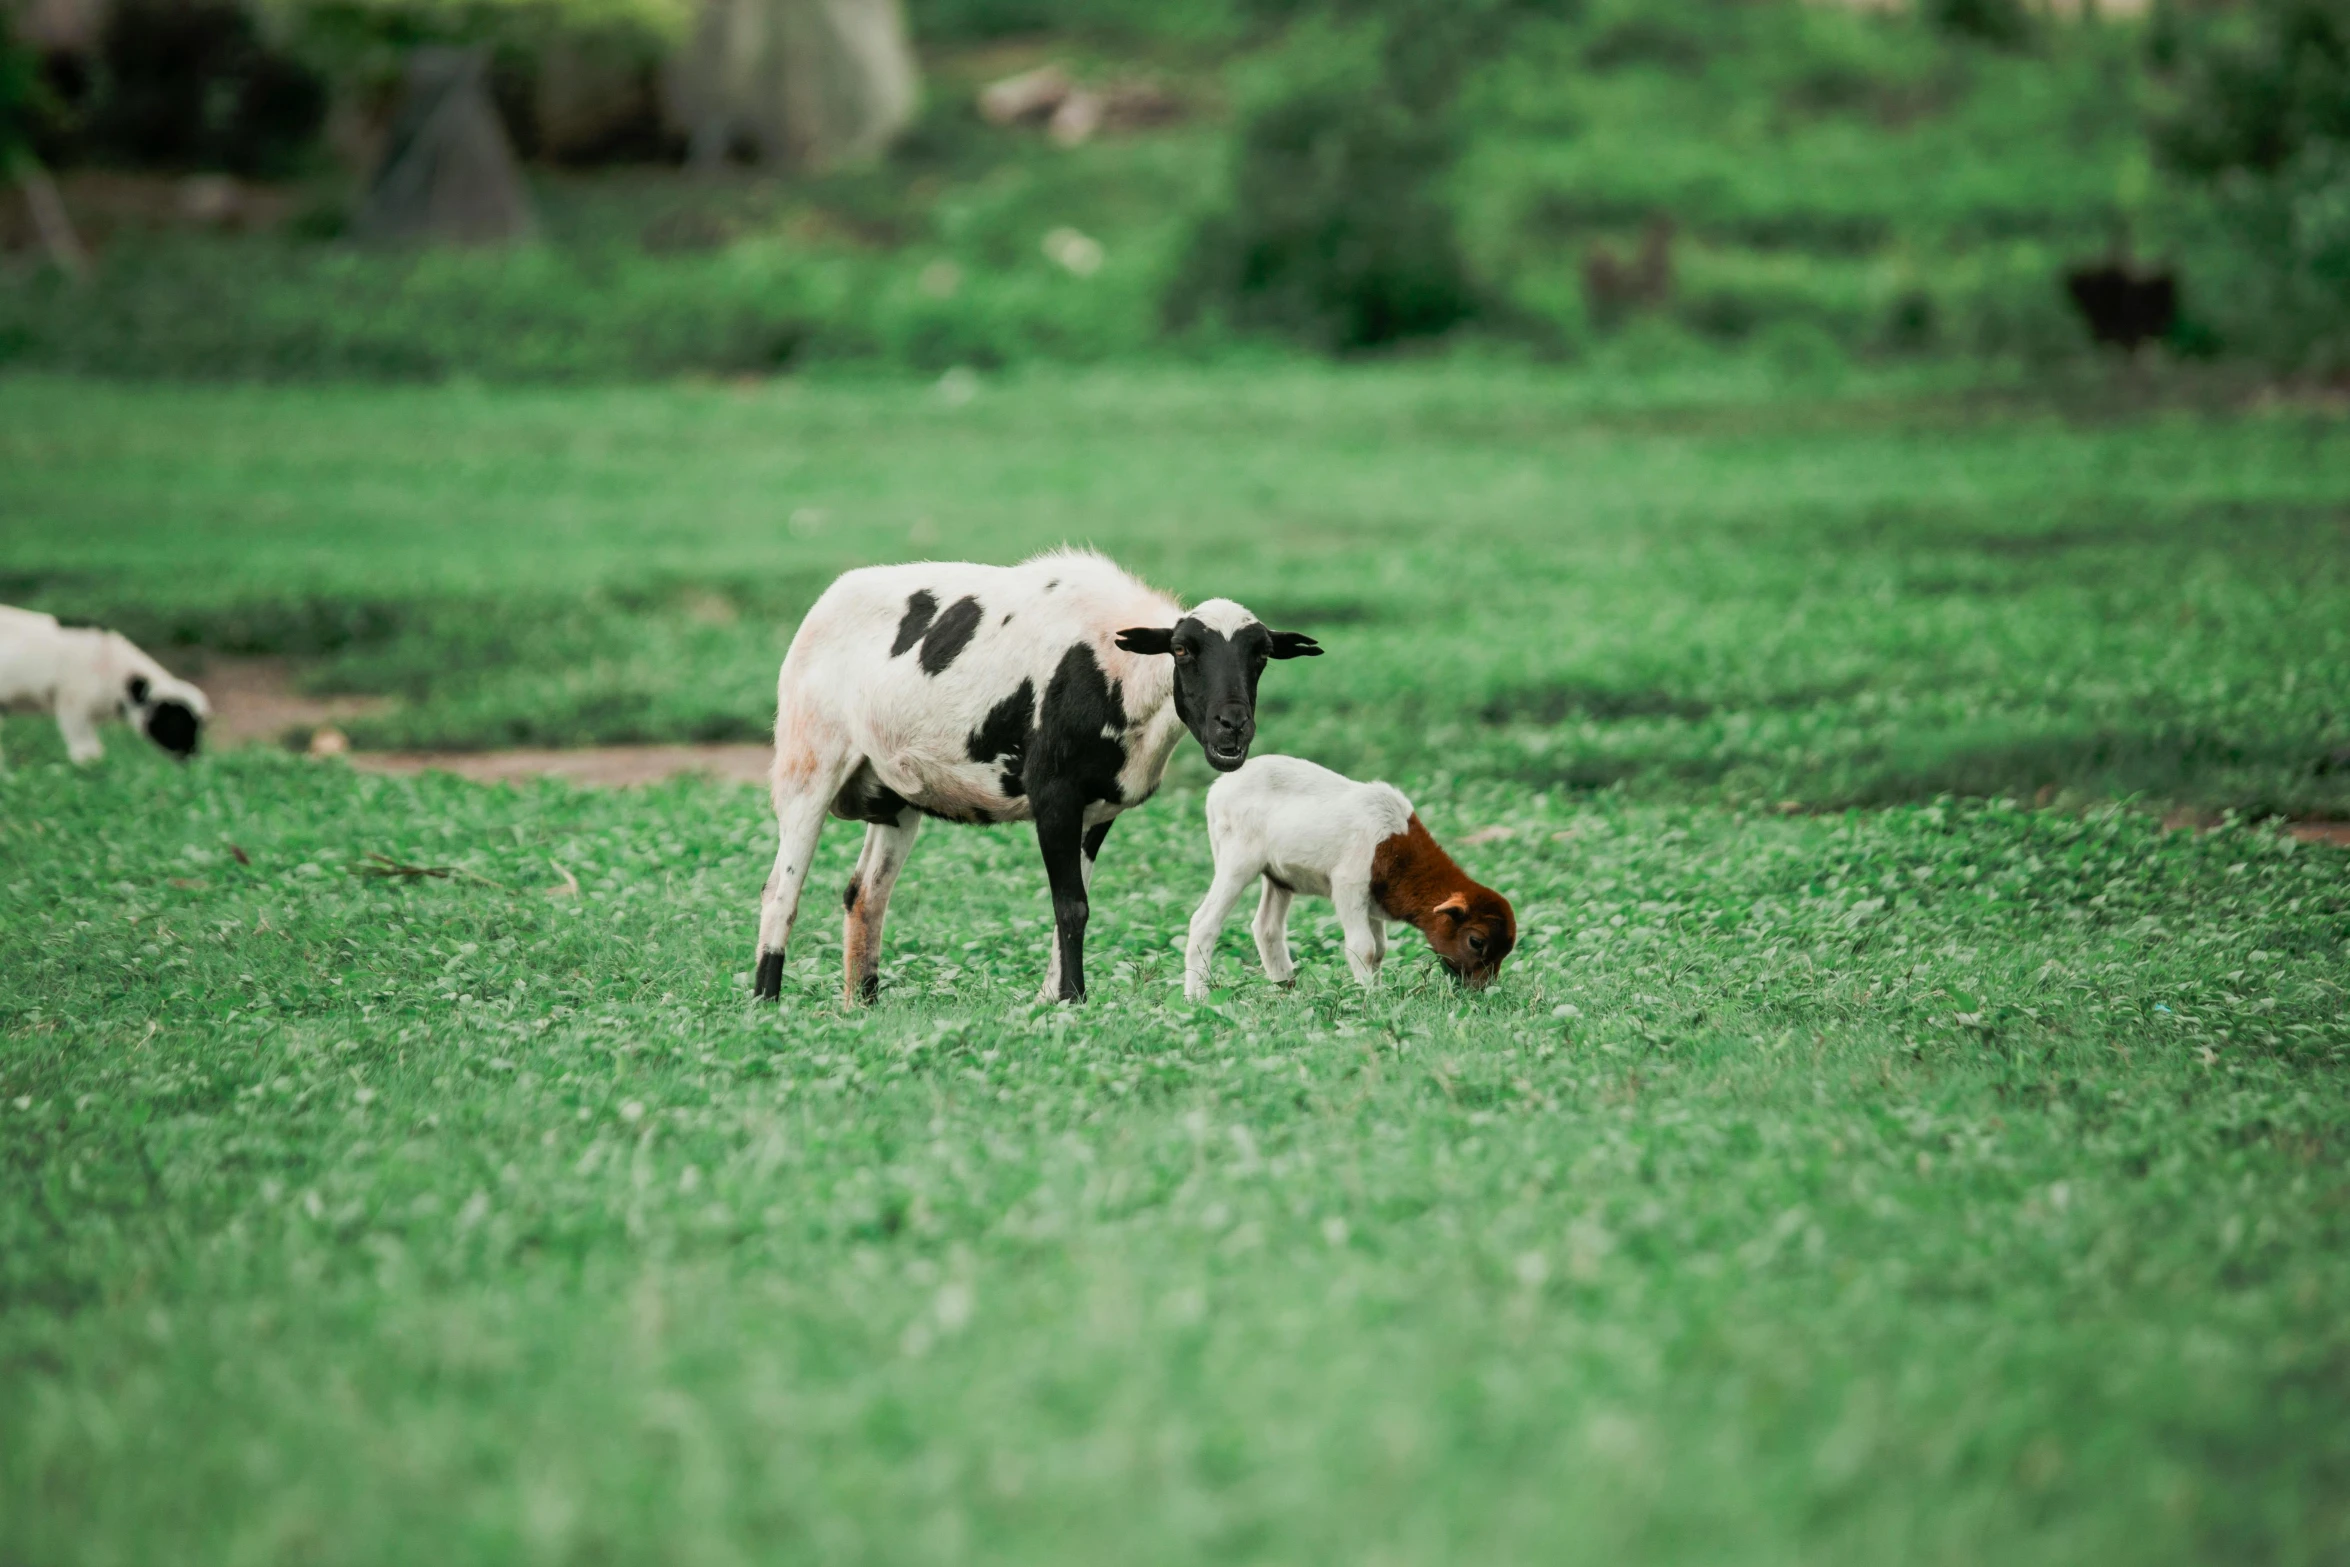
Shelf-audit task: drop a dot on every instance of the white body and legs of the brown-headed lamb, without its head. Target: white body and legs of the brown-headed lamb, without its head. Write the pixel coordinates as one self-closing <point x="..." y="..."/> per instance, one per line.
<point x="1303" y="830"/>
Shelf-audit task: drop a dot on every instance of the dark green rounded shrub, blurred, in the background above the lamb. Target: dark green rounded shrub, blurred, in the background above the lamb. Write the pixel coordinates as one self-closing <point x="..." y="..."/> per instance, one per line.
<point x="1338" y="234"/>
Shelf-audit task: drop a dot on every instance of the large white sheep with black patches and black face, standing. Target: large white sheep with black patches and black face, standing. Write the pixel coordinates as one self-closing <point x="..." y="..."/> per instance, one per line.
<point x="1047" y="692"/>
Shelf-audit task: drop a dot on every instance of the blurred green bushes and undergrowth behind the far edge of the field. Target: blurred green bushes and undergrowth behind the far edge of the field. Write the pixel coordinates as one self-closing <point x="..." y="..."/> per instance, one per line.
<point x="1625" y="177"/>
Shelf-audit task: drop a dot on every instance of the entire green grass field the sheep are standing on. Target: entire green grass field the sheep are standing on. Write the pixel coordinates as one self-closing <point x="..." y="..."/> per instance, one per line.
<point x="1891" y="1145"/>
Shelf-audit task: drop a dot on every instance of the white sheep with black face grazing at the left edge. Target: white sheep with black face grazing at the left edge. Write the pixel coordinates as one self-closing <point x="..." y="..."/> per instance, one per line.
<point x="83" y="675"/>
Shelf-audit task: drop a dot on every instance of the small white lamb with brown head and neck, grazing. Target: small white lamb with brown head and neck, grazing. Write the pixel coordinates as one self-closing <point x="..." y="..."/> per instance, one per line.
<point x="1362" y="847"/>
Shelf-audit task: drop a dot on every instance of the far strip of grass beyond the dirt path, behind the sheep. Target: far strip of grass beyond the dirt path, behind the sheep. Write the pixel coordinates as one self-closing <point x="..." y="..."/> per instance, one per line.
<point x="1681" y="584"/>
